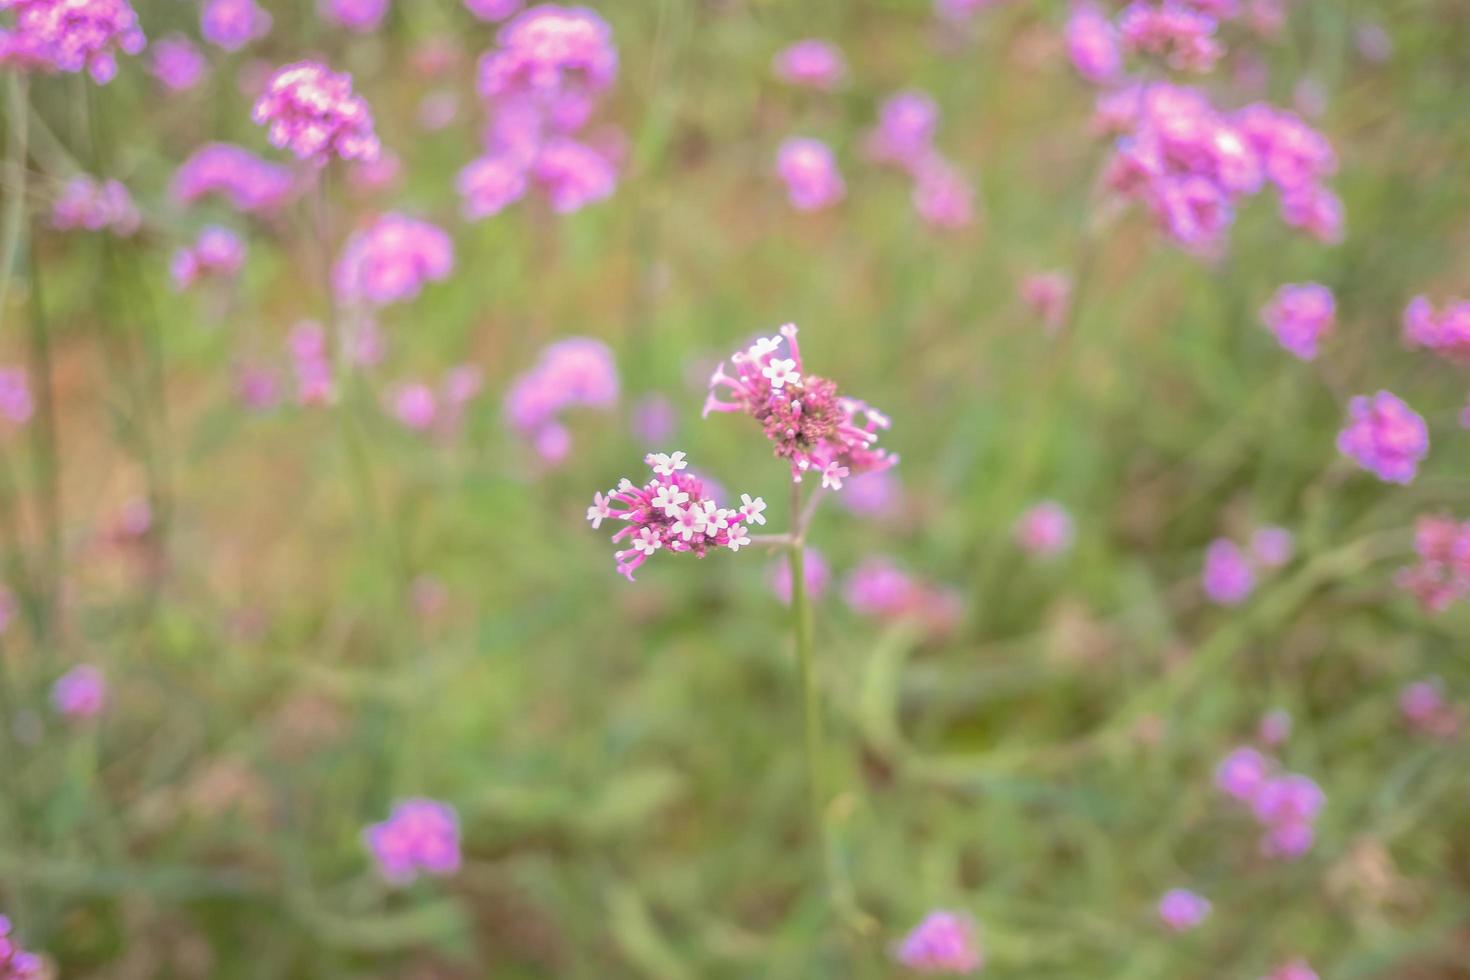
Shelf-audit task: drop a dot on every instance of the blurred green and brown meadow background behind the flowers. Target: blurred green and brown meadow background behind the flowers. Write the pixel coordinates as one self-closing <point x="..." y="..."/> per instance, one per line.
<point x="304" y="613"/>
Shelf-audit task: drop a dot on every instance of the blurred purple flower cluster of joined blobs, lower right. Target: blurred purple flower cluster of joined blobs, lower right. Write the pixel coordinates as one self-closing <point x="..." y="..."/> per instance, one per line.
<point x="1284" y="804"/>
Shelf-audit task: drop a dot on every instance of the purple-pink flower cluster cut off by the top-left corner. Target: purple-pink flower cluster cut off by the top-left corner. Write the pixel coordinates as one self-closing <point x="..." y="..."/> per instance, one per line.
<point x="71" y="36"/>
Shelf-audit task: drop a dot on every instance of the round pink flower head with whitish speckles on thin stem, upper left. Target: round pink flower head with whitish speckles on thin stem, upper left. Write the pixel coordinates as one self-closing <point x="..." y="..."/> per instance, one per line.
<point x="314" y="112"/>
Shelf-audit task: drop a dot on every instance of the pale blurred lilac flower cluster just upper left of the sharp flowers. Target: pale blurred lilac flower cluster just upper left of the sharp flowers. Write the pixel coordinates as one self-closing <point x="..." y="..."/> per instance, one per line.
<point x="577" y="372"/>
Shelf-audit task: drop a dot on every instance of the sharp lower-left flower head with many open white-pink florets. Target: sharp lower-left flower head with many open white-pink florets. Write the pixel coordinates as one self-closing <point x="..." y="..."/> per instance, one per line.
<point x="673" y="512"/>
